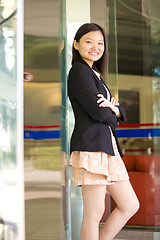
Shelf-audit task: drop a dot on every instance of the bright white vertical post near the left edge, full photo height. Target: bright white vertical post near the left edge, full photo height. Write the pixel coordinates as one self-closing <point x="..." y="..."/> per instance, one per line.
<point x="20" y="124"/>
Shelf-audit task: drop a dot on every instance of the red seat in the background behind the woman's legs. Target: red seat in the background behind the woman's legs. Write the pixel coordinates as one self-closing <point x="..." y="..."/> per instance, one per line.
<point x="144" y="172"/>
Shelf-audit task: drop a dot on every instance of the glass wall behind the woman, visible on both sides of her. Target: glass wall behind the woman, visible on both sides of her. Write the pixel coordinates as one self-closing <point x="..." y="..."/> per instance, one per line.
<point x="133" y="77"/>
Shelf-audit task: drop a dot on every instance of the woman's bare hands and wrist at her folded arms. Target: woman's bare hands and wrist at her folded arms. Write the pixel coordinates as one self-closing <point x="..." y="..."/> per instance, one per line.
<point x="112" y="105"/>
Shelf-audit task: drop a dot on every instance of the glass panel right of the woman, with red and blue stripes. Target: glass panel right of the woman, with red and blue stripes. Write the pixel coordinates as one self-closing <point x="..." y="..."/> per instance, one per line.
<point x="138" y="84"/>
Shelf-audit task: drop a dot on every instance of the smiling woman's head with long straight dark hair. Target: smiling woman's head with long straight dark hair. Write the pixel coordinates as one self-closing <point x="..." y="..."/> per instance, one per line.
<point x="90" y="43"/>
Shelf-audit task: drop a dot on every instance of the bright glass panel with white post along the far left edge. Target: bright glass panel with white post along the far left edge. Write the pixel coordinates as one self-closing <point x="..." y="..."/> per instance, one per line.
<point x="11" y="120"/>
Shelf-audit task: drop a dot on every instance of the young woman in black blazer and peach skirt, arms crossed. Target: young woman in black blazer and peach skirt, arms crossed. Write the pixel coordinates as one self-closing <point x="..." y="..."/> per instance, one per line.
<point x="95" y="152"/>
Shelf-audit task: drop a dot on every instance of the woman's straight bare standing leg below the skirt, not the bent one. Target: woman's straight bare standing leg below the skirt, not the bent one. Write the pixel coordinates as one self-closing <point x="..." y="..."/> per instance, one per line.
<point x="93" y="208"/>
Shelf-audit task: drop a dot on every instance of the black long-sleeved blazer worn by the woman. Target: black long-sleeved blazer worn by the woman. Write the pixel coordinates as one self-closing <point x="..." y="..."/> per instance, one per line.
<point x="91" y="132"/>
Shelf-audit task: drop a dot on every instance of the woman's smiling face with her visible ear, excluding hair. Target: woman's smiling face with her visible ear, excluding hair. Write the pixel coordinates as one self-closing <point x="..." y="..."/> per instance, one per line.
<point x="90" y="47"/>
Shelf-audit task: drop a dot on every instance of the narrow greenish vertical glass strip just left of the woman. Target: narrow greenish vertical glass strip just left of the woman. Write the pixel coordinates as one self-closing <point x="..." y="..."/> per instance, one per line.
<point x="64" y="125"/>
